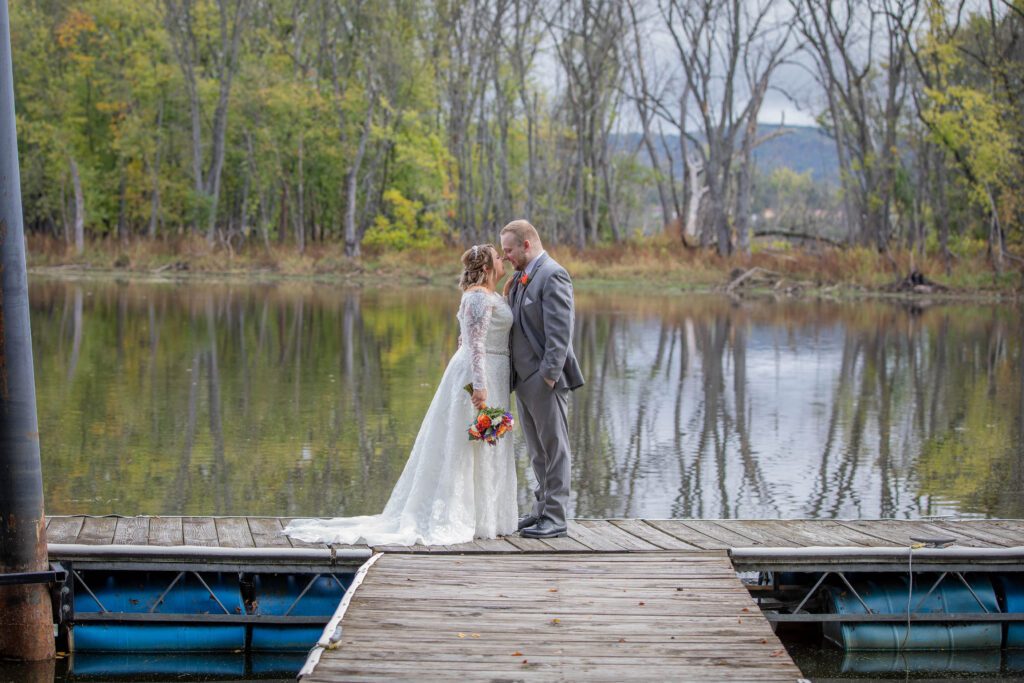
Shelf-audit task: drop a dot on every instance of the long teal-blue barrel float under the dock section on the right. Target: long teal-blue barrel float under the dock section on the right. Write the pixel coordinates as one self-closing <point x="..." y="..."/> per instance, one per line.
<point x="887" y="594"/>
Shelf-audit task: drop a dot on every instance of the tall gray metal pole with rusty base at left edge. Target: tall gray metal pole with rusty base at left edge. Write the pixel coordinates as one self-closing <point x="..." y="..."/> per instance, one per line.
<point x="26" y="621"/>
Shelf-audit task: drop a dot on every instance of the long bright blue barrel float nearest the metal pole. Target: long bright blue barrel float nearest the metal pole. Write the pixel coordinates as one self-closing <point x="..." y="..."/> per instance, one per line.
<point x="139" y="594"/>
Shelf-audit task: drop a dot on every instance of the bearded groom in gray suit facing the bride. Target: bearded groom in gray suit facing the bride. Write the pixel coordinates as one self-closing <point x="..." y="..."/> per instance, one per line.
<point x="544" y="371"/>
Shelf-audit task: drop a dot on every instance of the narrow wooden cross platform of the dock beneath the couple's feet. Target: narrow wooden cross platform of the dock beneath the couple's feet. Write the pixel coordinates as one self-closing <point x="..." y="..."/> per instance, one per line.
<point x="585" y="536"/>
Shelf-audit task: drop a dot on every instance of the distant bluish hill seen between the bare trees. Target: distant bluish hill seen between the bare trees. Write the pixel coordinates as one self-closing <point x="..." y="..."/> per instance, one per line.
<point x="798" y="148"/>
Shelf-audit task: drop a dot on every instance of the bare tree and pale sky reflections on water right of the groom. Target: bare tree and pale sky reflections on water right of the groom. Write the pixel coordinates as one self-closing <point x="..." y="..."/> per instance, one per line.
<point x="806" y="409"/>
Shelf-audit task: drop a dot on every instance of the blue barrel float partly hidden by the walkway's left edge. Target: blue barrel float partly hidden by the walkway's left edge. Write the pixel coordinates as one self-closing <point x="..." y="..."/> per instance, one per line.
<point x="276" y="594"/>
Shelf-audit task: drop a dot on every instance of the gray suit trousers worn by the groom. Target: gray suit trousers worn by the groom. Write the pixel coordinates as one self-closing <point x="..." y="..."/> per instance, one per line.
<point x="544" y="414"/>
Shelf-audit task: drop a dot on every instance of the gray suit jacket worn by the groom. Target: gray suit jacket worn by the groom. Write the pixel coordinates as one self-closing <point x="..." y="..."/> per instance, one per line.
<point x="542" y="331"/>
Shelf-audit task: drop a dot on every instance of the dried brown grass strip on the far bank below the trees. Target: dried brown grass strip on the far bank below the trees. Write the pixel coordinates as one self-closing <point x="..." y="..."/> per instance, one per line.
<point x="656" y="262"/>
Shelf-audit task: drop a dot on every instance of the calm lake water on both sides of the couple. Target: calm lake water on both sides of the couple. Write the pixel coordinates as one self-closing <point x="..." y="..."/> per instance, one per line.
<point x="304" y="400"/>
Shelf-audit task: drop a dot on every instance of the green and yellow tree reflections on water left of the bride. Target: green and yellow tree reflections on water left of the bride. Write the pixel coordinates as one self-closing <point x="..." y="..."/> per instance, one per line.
<point x="202" y="401"/>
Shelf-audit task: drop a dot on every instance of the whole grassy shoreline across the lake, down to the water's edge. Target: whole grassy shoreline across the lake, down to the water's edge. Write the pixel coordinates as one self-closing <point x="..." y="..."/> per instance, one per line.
<point x="653" y="265"/>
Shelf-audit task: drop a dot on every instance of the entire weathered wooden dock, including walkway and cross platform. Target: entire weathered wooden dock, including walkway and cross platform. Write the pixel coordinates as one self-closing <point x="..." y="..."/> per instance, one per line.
<point x="619" y="600"/>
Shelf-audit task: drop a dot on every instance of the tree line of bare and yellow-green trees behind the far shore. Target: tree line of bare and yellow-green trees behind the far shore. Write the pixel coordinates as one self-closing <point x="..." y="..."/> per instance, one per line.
<point x="390" y="124"/>
